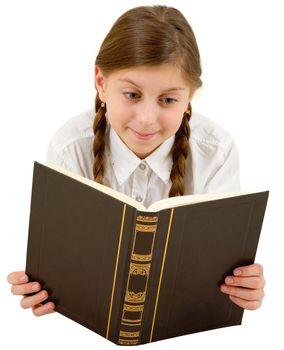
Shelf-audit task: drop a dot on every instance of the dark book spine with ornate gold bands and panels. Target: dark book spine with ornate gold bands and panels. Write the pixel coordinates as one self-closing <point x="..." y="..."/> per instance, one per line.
<point x="137" y="280"/>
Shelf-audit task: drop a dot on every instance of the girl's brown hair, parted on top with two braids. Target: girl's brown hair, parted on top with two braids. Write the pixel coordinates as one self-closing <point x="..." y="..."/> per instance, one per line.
<point x="149" y="36"/>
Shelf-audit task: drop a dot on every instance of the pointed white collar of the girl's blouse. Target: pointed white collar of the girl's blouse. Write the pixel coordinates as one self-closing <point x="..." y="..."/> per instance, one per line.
<point x="124" y="161"/>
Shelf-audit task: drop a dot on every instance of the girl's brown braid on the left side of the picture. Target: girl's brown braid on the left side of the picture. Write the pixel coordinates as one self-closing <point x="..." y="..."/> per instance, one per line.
<point x="99" y="128"/>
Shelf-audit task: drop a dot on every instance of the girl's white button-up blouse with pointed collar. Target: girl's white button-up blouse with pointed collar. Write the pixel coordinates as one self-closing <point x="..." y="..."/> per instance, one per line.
<point x="211" y="166"/>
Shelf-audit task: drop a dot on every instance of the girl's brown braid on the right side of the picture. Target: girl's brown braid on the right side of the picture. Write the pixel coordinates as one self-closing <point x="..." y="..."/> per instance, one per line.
<point x="180" y="151"/>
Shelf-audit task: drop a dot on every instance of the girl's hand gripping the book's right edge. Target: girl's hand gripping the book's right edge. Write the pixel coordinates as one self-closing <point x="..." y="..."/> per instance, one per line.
<point x="246" y="287"/>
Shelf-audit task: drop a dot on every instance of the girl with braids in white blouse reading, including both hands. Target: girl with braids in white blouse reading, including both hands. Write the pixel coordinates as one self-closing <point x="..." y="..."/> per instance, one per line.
<point x="143" y="138"/>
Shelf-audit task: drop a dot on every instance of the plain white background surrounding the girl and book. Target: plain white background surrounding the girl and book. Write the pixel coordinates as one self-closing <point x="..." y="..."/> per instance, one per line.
<point x="47" y="56"/>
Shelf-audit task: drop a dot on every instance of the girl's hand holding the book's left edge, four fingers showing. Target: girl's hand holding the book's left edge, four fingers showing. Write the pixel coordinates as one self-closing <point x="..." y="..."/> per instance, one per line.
<point x="20" y="286"/>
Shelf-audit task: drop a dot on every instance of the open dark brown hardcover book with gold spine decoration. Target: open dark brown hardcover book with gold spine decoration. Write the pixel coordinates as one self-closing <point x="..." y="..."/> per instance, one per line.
<point x="132" y="274"/>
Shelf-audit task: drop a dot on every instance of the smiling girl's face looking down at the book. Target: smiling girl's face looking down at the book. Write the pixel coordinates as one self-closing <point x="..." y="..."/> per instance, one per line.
<point x="145" y="105"/>
